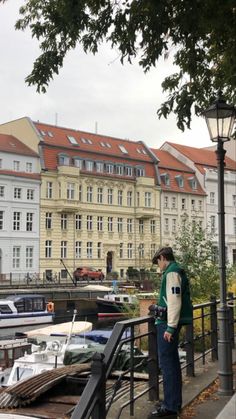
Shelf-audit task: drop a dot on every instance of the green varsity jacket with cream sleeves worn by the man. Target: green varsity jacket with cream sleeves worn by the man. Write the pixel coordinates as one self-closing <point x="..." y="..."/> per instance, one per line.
<point x="175" y="295"/>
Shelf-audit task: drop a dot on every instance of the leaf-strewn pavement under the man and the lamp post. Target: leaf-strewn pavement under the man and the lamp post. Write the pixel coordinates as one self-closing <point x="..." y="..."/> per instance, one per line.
<point x="201" y="399"/>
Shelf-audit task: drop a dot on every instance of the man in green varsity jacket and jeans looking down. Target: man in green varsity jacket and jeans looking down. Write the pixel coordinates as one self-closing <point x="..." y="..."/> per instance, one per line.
<point x="175" y="310"/>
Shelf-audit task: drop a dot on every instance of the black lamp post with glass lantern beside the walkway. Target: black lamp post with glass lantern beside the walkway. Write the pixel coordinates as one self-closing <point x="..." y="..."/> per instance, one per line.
<point x="220" y="120"/>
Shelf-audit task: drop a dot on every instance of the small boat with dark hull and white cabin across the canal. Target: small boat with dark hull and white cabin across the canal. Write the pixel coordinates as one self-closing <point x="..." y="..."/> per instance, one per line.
<point x="113" y="304"/>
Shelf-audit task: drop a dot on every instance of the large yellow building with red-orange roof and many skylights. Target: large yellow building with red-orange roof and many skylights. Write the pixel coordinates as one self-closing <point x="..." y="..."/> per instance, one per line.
<point x="100" y="199"/>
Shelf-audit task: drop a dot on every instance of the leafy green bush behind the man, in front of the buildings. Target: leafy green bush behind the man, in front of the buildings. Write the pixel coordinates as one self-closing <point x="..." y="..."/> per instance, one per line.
<point x="195" y="251"/>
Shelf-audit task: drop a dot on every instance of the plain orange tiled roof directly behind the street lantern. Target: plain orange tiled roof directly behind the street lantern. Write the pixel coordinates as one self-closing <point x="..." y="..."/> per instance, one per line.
<point x="202" y="157"/>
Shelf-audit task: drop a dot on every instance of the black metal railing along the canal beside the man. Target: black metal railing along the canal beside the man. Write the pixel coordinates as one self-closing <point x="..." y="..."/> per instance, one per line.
<point x="199" y="340"/>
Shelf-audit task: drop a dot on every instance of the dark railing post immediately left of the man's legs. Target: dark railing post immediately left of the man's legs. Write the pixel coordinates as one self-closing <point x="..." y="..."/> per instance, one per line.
<point x="153" y="368"/>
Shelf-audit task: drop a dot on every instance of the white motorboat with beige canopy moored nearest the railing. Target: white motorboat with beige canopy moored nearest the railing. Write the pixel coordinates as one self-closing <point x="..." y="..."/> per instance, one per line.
<point x="44" y="357"/>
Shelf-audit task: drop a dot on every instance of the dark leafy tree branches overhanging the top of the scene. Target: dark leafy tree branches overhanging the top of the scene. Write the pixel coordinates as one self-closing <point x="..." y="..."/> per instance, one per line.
<point x="199" y="35"/>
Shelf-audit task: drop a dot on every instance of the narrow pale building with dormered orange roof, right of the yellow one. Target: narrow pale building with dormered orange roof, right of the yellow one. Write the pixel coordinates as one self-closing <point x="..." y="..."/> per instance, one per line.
<point x="182" y="196"/>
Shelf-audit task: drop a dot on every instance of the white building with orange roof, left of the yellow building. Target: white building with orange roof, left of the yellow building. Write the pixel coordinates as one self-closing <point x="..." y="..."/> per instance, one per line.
<point x="19" y="208"/>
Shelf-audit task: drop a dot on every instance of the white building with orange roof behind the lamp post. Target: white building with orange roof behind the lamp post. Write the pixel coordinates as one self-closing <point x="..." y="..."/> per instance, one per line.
<point x="203" y="162"/>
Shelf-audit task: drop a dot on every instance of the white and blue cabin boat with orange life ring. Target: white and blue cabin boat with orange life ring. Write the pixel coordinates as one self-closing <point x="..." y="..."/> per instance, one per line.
<point x="25" y="309"/>
